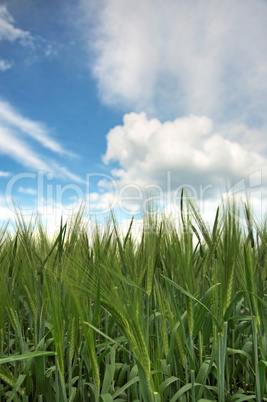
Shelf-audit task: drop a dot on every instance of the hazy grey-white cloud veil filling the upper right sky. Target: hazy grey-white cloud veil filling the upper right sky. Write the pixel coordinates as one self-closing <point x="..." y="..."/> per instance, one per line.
<point x="174" y="58"/>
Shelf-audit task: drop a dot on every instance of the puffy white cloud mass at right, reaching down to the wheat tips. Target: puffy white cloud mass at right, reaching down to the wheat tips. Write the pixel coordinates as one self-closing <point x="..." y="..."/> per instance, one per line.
<point x="151" y="162"/>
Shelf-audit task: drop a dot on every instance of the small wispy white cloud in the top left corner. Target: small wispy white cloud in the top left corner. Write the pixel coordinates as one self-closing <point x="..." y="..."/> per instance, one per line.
<point x="9" y="32"/>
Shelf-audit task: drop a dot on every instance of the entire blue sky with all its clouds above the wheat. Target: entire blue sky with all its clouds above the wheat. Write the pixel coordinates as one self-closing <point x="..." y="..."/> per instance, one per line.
<point x="108" y="101"/>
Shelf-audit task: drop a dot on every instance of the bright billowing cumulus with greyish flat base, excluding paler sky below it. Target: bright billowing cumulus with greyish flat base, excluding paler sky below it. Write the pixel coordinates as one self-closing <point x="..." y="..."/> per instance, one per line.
<point x="189" y="148"/>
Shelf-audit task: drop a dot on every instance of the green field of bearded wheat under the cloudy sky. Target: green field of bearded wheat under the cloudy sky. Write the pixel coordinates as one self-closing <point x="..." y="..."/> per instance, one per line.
<point x="178" y="315"/>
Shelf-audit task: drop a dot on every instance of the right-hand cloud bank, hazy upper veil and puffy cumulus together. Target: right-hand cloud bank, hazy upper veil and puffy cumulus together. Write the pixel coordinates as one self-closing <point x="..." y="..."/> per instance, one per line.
<point x="200" y="68"/>
